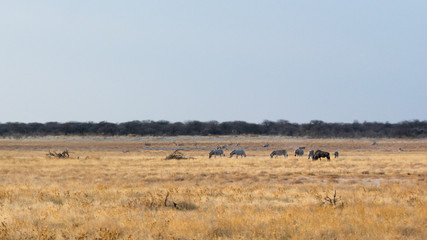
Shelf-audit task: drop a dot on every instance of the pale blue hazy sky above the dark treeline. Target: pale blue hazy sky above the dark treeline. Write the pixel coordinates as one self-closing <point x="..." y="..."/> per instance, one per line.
<point x="118" y="61"/>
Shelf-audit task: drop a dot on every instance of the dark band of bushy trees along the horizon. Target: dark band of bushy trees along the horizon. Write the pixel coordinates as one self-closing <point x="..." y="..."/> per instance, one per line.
<point x="314" y="129"/>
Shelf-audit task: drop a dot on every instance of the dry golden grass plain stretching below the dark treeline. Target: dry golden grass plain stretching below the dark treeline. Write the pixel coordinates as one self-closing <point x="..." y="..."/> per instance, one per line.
<point x="123" y="188"/>
